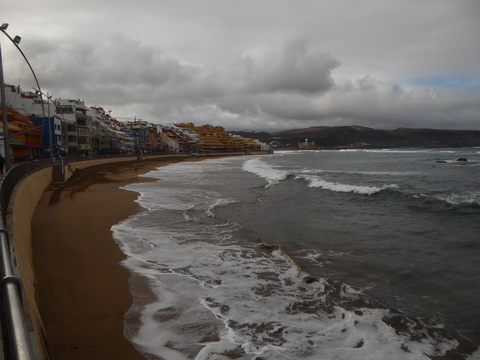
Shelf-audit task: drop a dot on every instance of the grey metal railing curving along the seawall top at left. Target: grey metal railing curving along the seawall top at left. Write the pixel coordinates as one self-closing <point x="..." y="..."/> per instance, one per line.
<point x="16" y="340"/>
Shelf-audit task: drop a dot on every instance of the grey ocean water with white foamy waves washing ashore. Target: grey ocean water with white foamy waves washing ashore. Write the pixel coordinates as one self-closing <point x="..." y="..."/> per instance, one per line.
<point x="361" y="254"/>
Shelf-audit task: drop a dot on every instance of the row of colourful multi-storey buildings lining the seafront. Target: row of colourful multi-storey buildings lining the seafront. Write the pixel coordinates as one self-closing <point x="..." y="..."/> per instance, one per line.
<point x="41" y="127"/>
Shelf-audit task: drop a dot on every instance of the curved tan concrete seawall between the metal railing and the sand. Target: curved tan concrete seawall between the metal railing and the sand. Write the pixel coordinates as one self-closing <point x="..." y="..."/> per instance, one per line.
<point x="22" y="207"/>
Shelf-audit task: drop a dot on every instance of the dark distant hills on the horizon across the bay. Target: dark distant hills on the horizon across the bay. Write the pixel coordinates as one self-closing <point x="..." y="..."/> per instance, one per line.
<point x="364" y="137"/>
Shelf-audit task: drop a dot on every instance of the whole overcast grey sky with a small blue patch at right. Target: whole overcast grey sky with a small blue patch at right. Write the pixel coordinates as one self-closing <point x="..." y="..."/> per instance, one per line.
<point x="255" y="64"/>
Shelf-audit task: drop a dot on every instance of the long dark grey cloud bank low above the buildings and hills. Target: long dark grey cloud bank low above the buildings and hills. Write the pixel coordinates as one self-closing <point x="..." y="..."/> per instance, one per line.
<point x="290" y="82"/>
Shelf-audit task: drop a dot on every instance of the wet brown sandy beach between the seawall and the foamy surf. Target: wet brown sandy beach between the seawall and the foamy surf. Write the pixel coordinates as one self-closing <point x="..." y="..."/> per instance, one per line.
<point x="83" y="290"/>
